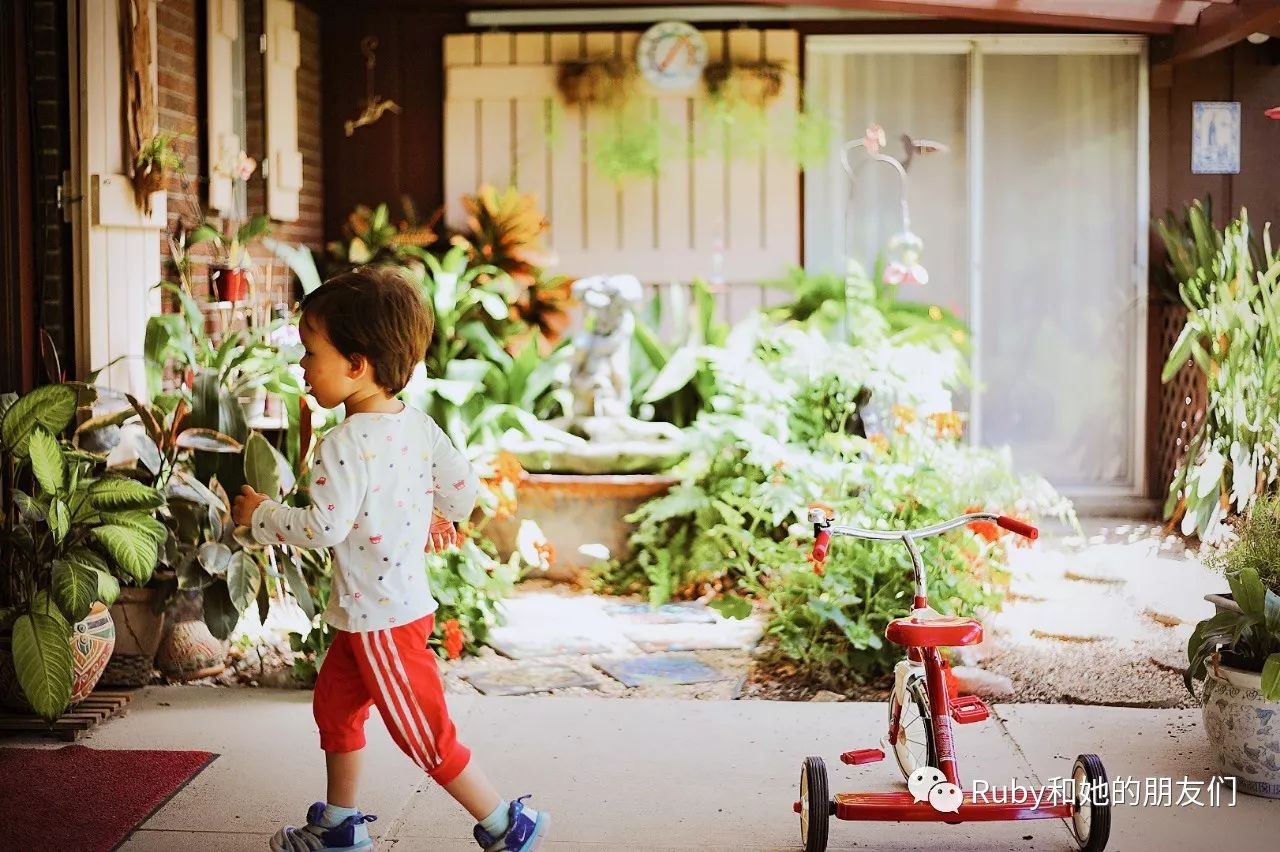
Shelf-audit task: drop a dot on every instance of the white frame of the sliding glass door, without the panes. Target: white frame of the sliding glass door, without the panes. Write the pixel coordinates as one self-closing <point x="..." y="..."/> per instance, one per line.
<point x="976" y="48"/>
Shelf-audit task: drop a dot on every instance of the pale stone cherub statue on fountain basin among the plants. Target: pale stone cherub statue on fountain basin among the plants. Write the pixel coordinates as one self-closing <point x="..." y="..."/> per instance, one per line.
<point x="601" y="436"/>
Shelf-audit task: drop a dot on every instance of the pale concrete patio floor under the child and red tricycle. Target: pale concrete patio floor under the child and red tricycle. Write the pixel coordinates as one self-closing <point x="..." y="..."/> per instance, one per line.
<point x="660" y="776"/>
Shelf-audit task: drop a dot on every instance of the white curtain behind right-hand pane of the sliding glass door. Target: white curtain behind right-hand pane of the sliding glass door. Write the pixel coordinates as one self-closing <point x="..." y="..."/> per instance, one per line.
<point x="1059" y="299"/>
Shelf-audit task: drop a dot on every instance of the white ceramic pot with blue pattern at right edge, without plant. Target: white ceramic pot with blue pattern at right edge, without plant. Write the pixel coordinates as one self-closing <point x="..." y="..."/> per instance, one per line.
<point x="1245" y="730"/>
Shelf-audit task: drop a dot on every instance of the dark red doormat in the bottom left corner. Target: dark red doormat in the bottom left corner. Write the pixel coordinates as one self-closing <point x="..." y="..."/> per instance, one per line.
<point x="88" y="800"/>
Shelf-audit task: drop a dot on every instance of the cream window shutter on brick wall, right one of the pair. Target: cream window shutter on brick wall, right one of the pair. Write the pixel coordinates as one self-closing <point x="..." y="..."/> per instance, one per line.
<point x="285" y="161"/>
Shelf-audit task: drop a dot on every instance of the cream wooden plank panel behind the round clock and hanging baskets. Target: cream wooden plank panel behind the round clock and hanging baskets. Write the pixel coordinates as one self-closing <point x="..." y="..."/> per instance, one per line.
<point x="501" y="94"/>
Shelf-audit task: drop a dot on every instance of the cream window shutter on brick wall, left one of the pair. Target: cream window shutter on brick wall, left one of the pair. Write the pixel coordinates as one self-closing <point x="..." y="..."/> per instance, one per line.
<point x="223" y="143"/>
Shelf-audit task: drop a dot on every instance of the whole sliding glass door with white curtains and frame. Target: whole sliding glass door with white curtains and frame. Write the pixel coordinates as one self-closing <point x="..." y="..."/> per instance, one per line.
<point x="1032" y="226"/>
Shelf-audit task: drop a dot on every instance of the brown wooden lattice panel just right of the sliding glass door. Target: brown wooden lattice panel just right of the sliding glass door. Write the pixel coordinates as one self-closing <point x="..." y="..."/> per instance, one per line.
<point x="1183" y="401"/>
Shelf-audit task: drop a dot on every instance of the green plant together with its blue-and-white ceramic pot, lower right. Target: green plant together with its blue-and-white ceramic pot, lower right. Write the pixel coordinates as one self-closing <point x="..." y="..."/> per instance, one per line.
<point x="1237" y="653"/>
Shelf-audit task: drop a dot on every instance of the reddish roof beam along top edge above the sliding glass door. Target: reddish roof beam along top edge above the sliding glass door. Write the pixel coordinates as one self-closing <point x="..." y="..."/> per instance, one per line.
<point x="1113" y="16"/>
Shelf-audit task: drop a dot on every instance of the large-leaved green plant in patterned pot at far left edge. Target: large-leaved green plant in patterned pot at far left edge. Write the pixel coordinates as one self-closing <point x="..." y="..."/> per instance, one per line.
<point x="70" y="528"/>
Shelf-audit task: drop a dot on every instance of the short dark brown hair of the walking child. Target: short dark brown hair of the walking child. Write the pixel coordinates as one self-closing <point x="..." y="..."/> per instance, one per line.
<point x="374" y="313"/>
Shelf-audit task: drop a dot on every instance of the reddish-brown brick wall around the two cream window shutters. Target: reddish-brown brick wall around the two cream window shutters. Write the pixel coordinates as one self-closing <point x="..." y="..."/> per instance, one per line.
<point x="181" y="61"/>
